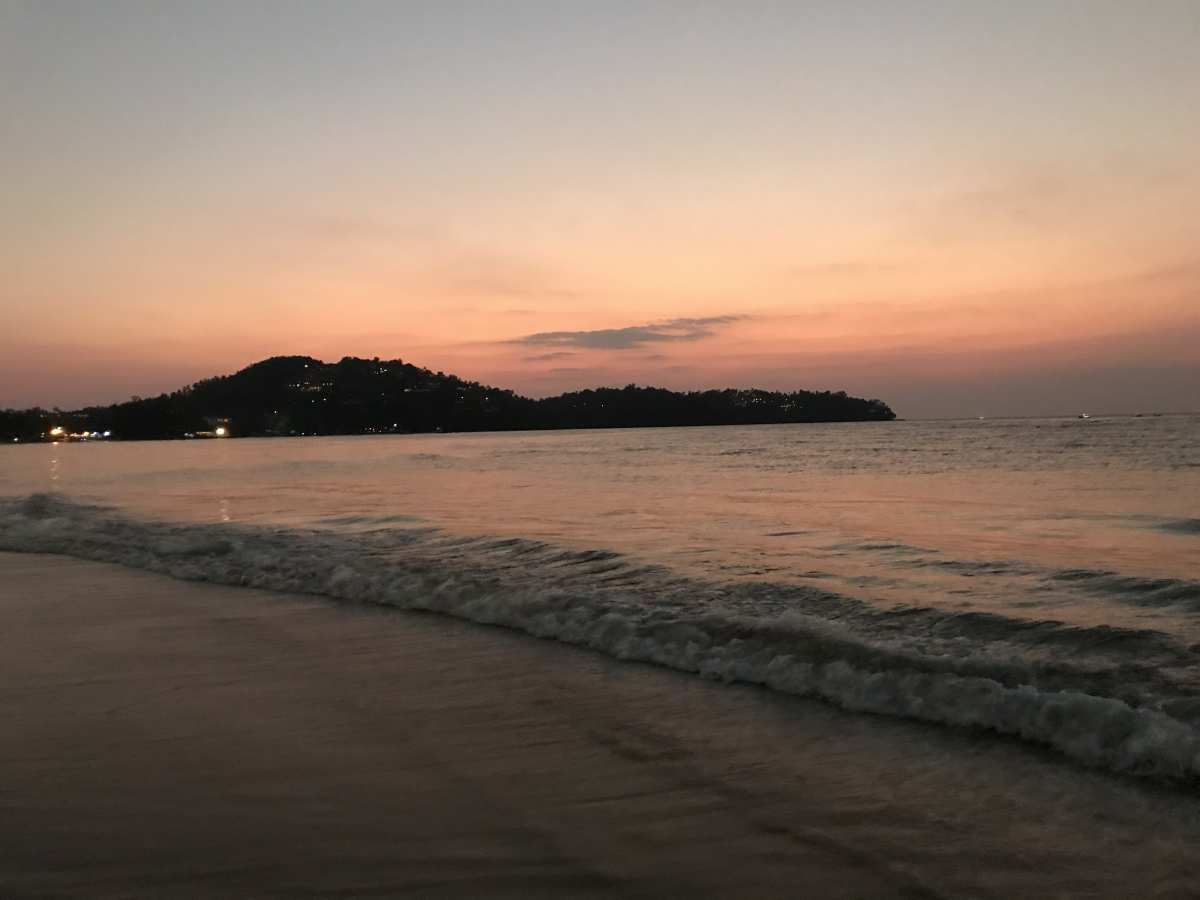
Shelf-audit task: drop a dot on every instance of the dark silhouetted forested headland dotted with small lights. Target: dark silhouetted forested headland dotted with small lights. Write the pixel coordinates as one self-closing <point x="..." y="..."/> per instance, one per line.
<point x="299" y="395"/>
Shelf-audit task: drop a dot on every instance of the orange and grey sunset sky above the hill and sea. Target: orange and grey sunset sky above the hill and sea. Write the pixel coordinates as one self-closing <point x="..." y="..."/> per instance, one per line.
<point x="962" y="208"/>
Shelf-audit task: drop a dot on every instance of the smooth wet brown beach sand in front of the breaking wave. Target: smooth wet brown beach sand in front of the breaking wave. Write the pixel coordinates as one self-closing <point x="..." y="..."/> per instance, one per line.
<point x="176" y="740"/>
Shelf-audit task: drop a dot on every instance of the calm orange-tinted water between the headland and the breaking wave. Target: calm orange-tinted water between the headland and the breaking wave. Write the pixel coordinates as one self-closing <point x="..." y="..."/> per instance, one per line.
<point x="1073" y="520"/>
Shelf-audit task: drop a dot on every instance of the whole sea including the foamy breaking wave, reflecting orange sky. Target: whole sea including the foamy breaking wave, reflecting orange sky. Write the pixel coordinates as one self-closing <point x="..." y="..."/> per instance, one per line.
<point x="1024" y="579"/>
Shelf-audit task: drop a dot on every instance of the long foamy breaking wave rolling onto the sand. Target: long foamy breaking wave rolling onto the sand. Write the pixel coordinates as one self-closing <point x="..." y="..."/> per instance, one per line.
<point x="1120" y="699"/>
